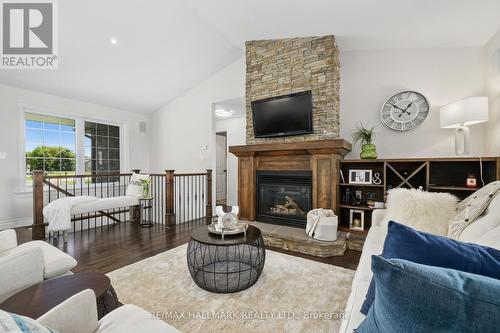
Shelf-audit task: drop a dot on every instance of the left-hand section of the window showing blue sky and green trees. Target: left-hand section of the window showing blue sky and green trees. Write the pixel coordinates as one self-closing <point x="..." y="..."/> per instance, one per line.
<point x="50" y="145"/>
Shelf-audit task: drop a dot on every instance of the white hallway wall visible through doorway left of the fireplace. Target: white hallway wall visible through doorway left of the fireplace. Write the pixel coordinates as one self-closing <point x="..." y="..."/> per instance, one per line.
<point x="235" y="129"/>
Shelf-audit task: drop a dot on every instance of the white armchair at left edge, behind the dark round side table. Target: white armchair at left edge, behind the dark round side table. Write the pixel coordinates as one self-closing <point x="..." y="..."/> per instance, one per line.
<point x="22" y="266"/>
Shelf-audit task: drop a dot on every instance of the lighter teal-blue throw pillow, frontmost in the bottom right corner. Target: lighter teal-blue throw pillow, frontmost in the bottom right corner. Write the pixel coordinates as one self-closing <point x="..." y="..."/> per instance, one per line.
<point x="418" y="298"/>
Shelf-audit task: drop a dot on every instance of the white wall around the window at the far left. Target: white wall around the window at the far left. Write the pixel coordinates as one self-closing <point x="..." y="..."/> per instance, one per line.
<point x="15" y="205"/>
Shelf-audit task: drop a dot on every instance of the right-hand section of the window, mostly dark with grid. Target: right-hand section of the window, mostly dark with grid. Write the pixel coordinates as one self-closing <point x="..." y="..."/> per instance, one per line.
<point x="102" y="148"/>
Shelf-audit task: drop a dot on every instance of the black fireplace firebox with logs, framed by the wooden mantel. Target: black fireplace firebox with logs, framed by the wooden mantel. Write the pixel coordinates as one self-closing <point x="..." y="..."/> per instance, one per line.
<point x="284" y="197"/>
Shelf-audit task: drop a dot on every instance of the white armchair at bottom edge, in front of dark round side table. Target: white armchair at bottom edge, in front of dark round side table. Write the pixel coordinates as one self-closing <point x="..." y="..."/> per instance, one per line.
<point x="78" y="314"/>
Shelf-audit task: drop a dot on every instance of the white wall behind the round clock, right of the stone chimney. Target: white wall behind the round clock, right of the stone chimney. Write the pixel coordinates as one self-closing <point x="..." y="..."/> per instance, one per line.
<point x="444" y="75"/>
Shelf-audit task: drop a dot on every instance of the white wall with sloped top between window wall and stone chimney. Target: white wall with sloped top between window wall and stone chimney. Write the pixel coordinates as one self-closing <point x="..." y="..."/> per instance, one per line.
<point x="180" y="128"/>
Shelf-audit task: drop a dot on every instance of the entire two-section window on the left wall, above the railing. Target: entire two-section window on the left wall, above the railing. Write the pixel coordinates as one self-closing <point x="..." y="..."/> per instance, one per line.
<point x="52" y="144"/>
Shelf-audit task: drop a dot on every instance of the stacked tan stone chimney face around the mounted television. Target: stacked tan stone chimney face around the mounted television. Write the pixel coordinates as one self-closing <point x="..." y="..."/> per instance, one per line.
<point x="284" y="66"/>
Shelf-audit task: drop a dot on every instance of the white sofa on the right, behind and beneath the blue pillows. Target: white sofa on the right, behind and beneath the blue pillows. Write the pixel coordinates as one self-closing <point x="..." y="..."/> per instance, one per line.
<point x="484" y="231"/>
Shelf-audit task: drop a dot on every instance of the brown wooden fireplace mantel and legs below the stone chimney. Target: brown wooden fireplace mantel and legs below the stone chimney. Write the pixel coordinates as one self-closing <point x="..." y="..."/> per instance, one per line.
<point x="321" y="157"/>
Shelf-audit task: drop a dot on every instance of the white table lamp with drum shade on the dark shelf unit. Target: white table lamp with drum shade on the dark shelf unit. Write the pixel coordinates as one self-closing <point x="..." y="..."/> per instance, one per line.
<point x="459" y="115"/>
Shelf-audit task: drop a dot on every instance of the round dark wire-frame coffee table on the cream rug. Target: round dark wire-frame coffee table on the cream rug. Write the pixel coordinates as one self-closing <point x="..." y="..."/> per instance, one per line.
<point x="225" y="266"/>
